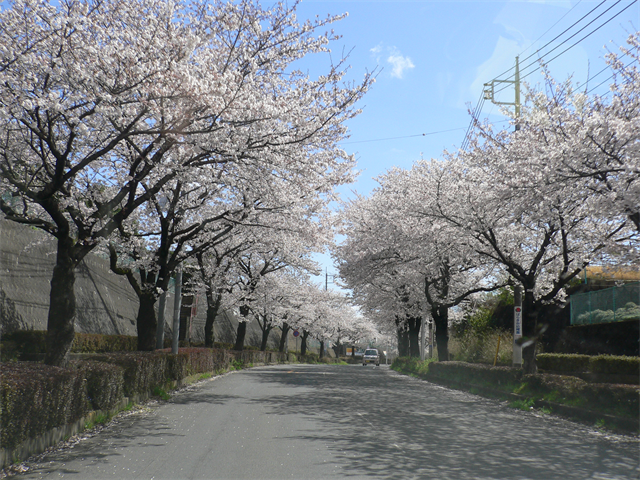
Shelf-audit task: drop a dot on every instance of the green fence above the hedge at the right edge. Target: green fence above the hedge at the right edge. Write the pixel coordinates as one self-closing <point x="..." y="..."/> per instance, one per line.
<point x="616" y="304"/>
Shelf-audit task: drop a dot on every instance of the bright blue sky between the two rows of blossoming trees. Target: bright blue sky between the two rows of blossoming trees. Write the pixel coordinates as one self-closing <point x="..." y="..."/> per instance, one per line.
<point x="435" y="57"/>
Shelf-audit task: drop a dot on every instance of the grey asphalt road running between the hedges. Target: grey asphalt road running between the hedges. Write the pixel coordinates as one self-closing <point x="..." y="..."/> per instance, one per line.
<point x="354" y="422"/>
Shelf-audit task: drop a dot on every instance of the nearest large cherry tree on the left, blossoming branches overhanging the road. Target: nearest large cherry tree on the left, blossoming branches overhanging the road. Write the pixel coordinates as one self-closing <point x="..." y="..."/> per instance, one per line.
<point x="97" y="96"/>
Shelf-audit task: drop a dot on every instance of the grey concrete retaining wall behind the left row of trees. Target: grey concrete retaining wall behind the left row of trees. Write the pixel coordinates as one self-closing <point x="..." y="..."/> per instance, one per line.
<point x="106" y="302"/>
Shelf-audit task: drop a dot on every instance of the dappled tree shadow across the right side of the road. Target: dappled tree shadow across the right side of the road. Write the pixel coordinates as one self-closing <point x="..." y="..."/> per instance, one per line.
<point x="379" y="423"/>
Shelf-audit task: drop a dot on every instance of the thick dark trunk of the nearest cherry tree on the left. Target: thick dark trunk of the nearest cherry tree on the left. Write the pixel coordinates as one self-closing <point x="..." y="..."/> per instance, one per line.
<point x="62" y="306"/>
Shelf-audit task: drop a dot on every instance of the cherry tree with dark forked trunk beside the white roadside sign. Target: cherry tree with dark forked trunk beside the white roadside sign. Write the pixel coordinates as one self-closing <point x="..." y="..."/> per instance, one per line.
<point x="542" y="238"/>
